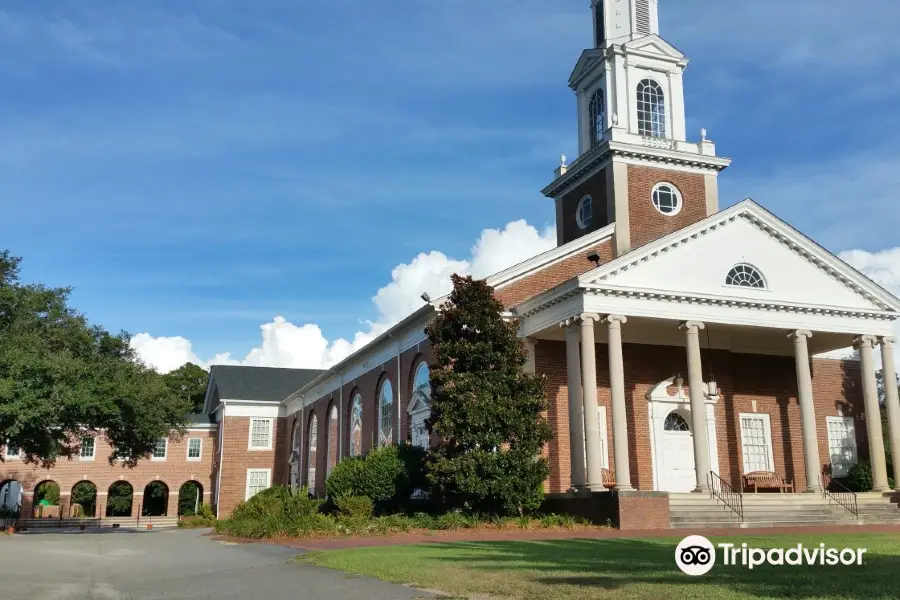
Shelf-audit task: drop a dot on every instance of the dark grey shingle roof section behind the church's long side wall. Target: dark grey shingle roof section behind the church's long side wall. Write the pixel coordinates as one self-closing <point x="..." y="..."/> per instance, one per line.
<point x="259" y="383"/>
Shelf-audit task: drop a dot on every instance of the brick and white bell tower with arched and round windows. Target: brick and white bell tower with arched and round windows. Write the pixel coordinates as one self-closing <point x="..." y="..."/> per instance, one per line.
<point x="636" y="167"/>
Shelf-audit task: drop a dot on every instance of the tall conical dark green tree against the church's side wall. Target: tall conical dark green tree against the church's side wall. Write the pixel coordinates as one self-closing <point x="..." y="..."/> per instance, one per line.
<point x="485" y="408"/>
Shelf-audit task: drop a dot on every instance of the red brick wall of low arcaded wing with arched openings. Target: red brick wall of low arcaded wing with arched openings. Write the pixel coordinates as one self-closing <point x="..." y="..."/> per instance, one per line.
<point x="174" y="471"/>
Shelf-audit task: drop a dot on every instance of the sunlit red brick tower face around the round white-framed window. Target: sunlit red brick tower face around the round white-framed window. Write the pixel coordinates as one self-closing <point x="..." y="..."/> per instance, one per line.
<point x="647" y="223"/>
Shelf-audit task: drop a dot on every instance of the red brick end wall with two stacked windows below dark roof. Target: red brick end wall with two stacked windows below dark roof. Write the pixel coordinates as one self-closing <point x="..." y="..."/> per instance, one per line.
<point x="238" y="458"/>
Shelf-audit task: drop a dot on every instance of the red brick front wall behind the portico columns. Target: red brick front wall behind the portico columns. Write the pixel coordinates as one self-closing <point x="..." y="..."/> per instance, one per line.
<point x="770" y="381"/>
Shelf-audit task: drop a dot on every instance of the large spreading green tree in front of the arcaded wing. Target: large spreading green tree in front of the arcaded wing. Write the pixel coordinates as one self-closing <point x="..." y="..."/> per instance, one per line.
<point x="60" y="377"/>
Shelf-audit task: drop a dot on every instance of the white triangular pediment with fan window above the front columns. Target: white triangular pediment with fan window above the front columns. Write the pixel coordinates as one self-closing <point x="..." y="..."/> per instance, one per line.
<point x="697" y="260"/>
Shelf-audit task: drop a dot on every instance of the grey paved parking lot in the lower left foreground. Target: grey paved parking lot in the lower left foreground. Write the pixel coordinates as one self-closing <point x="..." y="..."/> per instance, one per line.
<point x="169" y="564"/>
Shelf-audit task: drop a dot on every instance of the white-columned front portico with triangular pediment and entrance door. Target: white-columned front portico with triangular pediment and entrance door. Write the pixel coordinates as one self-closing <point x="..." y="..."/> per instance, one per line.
<point x="673" y="424"/>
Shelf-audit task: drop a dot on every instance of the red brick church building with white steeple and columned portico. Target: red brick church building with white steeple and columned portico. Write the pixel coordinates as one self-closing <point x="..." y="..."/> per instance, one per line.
<point x="680" y="342"/>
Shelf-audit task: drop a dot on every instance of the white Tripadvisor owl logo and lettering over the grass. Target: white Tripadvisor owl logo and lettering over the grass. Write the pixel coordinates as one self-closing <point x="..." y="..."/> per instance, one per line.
<point x="696" y="555"/>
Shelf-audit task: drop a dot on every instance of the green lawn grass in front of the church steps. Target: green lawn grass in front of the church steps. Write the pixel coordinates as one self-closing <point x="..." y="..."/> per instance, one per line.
<point x="612" y="569"/>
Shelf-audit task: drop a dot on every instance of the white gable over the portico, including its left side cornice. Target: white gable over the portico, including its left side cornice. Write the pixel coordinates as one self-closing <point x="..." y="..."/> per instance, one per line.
<point x="665" y="268"/>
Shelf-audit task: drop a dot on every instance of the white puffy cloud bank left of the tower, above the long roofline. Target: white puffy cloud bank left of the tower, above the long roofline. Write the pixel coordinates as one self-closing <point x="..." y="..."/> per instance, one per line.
<point x="285" y="344"/>
